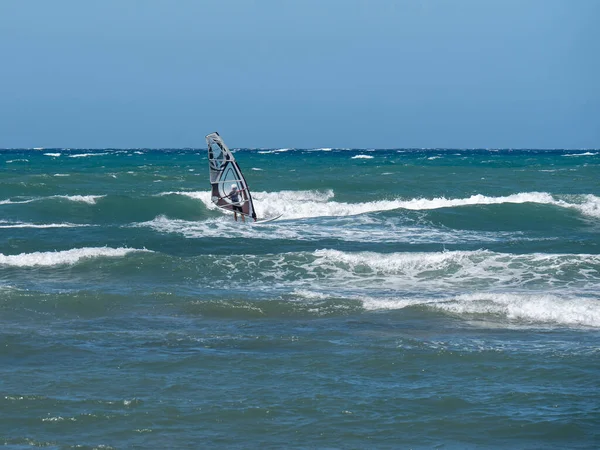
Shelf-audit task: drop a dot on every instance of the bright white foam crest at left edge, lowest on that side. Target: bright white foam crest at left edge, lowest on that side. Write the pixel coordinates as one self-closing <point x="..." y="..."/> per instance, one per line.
<point x="64" y="257"/>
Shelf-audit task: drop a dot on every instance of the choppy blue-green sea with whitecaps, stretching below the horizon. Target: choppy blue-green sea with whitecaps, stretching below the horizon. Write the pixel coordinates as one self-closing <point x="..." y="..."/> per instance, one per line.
<point x="405" y="299"/>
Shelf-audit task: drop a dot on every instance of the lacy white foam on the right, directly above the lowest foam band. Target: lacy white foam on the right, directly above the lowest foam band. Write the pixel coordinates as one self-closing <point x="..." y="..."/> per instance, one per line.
<point x="472" y="270"/>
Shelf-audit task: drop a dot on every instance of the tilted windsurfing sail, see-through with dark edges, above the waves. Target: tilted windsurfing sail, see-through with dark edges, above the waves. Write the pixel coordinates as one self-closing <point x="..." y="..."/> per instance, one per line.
<point x="225" y="174"/>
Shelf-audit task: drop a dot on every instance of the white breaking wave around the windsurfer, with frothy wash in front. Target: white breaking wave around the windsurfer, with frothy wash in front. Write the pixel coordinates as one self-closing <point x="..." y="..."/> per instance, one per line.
<point x="320" y="204"/>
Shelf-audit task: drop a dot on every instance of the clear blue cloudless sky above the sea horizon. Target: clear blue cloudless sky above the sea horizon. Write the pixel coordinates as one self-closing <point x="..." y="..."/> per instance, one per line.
<point x="303" y="73"/>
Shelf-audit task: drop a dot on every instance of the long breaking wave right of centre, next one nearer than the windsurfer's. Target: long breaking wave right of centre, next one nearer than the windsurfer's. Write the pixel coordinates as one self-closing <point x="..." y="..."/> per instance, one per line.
<point x="438" y="274"/>
